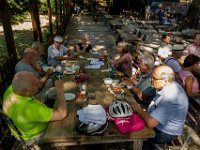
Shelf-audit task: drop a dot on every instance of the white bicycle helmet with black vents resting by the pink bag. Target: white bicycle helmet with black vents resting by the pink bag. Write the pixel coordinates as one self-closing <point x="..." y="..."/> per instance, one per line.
<point x="120" y="109"/>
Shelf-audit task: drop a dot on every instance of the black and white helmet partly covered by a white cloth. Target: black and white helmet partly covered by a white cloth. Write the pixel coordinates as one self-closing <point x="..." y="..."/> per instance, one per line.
<point x="90" y="128"/>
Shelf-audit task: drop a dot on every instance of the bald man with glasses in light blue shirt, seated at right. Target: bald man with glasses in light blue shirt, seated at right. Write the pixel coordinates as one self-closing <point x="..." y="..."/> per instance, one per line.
<point x="167" y="111"/>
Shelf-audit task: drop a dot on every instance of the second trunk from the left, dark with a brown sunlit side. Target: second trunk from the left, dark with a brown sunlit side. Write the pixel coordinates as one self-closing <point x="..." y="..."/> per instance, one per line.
<point x="33" y="8"/>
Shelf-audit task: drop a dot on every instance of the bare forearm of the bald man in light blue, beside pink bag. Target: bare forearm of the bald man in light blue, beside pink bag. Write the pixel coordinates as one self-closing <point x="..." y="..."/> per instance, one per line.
<point x="150" y="121"/>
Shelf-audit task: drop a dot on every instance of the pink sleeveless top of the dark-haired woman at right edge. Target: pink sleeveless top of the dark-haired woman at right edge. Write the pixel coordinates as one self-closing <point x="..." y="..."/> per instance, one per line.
<point x="183" y="74"/>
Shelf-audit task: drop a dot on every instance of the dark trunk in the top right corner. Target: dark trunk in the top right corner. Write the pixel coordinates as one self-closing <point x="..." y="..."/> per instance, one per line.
<point x="191" y="18"/>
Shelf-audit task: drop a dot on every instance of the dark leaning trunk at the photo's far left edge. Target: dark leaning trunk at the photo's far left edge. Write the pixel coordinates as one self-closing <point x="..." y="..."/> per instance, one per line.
<point x="10" y="43"/>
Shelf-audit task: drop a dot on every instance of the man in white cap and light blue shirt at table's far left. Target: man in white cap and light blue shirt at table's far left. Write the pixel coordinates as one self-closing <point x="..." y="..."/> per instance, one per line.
<point x="56" y="52"/>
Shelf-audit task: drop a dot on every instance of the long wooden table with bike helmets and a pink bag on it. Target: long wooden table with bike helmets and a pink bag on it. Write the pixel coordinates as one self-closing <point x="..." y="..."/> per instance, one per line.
<point x="62" y="134"/>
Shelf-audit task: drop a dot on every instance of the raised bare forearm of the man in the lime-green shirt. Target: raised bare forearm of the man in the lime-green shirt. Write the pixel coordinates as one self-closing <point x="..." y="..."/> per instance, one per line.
<point x="60" y="111"/>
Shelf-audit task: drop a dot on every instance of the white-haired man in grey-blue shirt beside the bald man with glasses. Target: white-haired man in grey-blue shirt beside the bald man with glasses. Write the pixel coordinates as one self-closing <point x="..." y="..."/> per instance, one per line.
<point x="142" y="87"/>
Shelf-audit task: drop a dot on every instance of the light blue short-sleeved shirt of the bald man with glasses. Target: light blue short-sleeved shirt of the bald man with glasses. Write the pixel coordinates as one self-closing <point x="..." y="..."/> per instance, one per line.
<point x="169" y="108"/>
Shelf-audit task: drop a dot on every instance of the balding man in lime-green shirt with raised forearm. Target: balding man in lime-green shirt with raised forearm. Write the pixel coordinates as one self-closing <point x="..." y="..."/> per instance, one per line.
<point x="30" y="116"/>
